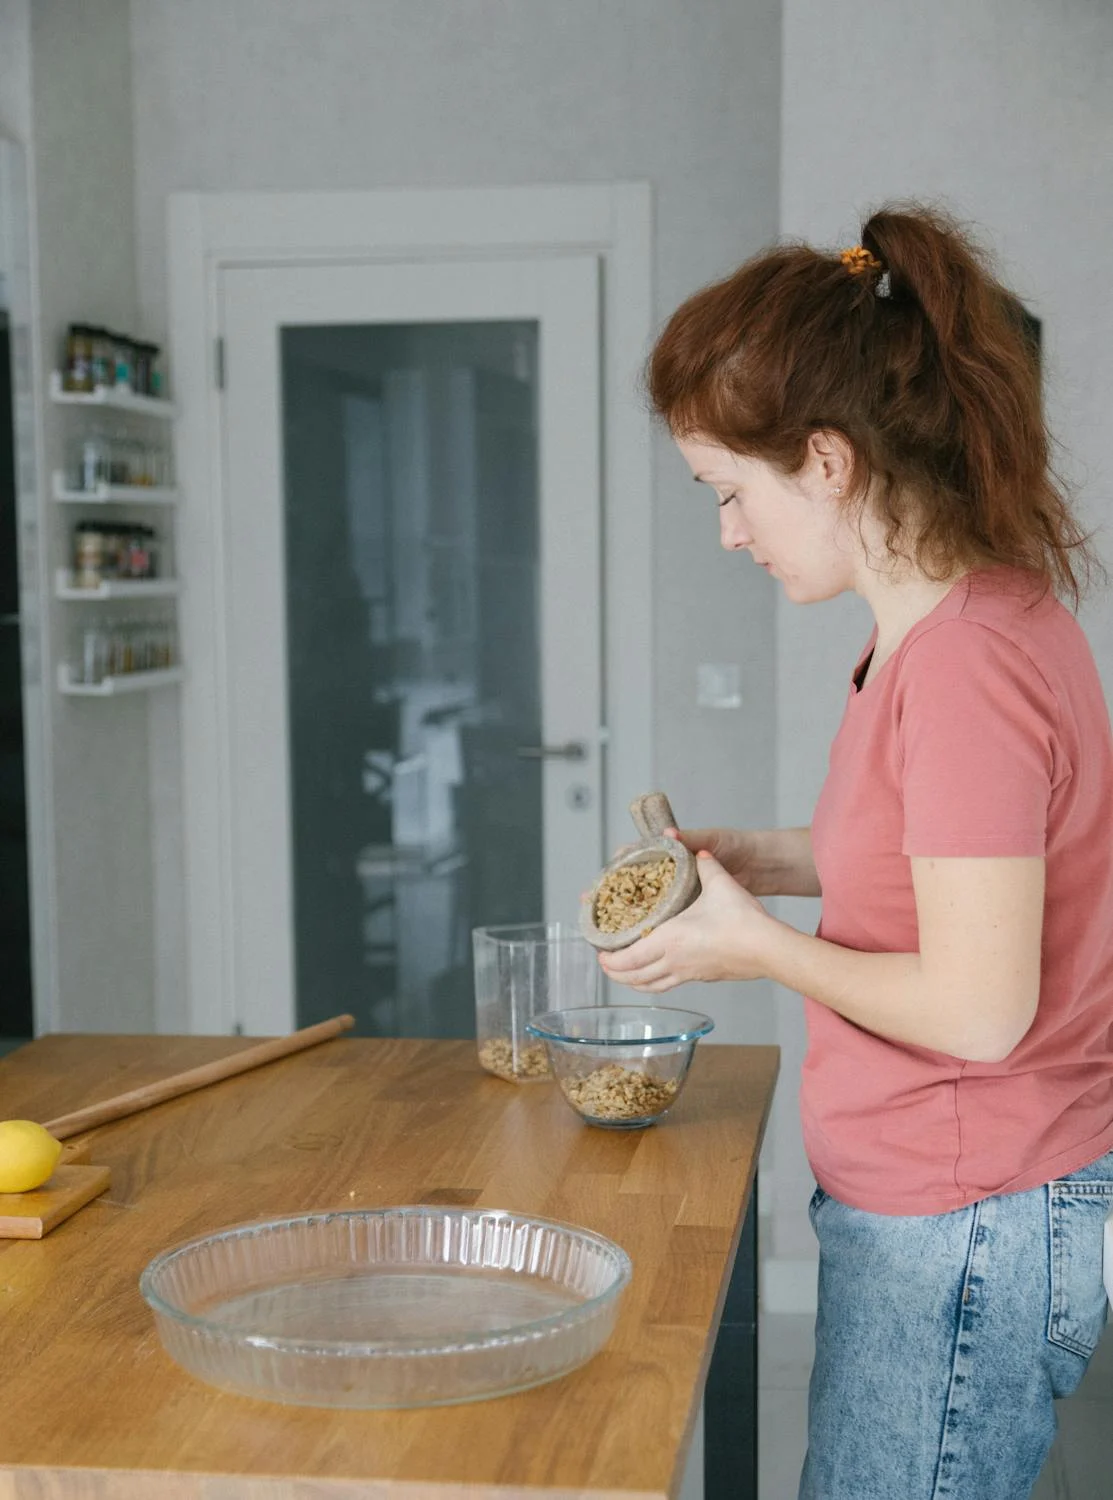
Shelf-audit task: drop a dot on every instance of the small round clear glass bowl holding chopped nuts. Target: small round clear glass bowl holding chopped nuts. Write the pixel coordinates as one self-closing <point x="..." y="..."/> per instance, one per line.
<point x="622" y="1067"/>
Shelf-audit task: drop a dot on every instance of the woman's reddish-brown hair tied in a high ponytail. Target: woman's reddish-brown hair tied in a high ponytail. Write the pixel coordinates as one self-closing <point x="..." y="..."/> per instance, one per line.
<point x="922" y="362"/>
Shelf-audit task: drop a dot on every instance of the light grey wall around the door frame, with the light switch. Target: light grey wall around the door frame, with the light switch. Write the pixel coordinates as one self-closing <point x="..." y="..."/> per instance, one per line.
<point x="298" y="95"/>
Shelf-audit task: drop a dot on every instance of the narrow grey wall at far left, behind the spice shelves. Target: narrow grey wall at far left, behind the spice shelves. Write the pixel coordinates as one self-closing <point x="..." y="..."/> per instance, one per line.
<point x="65" y="95"/>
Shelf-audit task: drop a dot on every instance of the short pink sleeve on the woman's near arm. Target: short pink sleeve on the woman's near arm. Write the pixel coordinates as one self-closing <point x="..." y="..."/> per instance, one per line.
<point x="977" y="734"/>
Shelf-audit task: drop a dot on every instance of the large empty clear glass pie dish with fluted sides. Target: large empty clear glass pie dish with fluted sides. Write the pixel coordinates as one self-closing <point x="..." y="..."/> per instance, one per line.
<point x="401" y="1307"/>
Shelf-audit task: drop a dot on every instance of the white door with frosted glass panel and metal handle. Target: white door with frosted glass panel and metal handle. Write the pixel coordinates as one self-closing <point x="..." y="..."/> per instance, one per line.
<point x="412" y="473"/>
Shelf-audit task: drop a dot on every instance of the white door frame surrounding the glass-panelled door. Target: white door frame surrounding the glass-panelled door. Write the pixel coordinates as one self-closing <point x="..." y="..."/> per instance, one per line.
<point x="215" y="232"/>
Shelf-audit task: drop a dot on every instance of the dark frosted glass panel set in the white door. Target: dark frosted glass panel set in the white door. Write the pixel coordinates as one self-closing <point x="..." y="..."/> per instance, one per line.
<point x="415" y="674"/>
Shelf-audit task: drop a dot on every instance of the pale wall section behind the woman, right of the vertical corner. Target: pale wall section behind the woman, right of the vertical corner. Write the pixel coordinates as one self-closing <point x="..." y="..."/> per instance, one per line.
<point x="1004" y="110"/>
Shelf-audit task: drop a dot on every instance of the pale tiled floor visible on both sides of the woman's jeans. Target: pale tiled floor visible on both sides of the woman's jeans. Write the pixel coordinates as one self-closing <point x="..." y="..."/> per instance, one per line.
<point x="1081" y="1465"/>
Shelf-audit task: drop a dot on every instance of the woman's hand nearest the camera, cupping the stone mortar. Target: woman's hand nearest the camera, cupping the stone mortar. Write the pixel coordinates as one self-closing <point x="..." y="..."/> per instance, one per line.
<point x="721" y="937"/>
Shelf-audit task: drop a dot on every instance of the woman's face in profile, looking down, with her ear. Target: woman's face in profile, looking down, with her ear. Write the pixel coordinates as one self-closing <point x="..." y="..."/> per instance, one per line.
<point x="791" y="526"/>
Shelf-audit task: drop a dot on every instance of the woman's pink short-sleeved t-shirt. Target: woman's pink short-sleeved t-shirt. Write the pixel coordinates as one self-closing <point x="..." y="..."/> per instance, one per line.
<point x="985" y="734"/>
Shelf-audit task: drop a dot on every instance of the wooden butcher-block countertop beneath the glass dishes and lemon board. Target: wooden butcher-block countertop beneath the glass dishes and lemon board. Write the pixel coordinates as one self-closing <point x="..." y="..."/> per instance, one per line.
<point x="94" y="1409"/>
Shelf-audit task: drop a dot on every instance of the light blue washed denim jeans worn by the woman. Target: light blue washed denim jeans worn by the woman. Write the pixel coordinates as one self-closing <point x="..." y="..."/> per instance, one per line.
<point x="943" y="1340"/>
